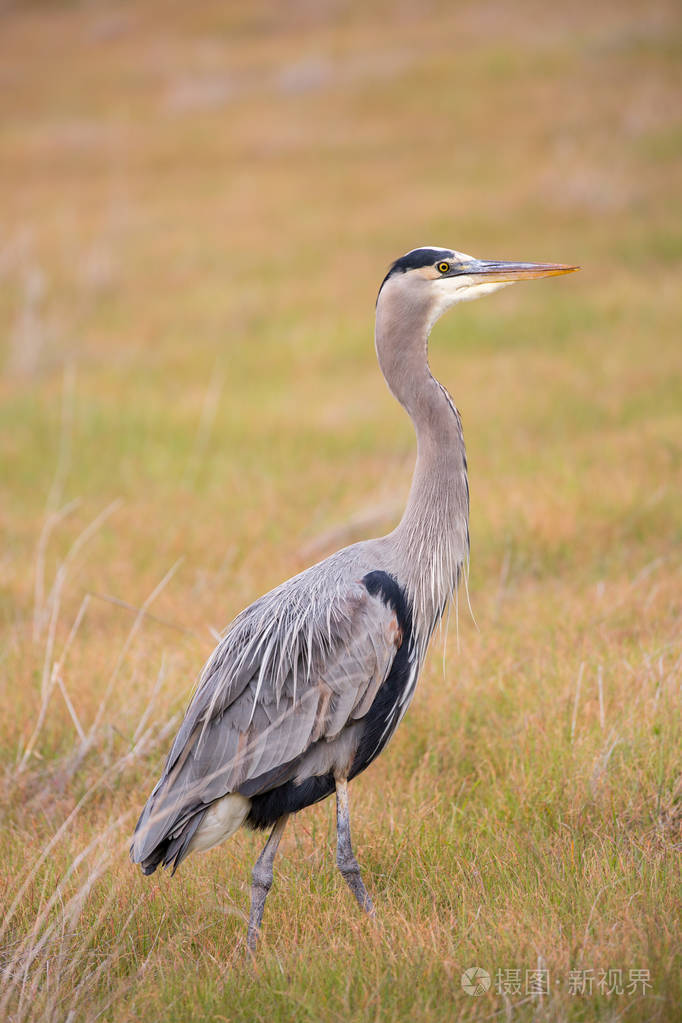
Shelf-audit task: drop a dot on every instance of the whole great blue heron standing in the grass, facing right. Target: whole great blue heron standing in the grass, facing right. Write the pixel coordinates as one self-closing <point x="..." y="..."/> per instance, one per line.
<point x="309" y="684"/>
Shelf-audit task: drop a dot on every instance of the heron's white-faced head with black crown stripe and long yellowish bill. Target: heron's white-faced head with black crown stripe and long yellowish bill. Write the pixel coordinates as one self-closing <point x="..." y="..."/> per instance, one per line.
<point x="432" y="280"/>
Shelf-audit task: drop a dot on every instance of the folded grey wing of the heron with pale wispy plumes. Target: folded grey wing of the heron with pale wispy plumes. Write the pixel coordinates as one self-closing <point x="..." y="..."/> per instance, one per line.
<point x="295" y="669"/>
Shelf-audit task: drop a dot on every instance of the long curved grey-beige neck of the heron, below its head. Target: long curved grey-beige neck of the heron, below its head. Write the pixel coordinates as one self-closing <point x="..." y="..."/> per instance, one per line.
<point x="432" y="540"/>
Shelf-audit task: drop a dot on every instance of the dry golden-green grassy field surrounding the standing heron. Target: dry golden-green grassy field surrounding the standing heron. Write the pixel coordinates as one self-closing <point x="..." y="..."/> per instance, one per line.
<point x="199" y="204"/>
